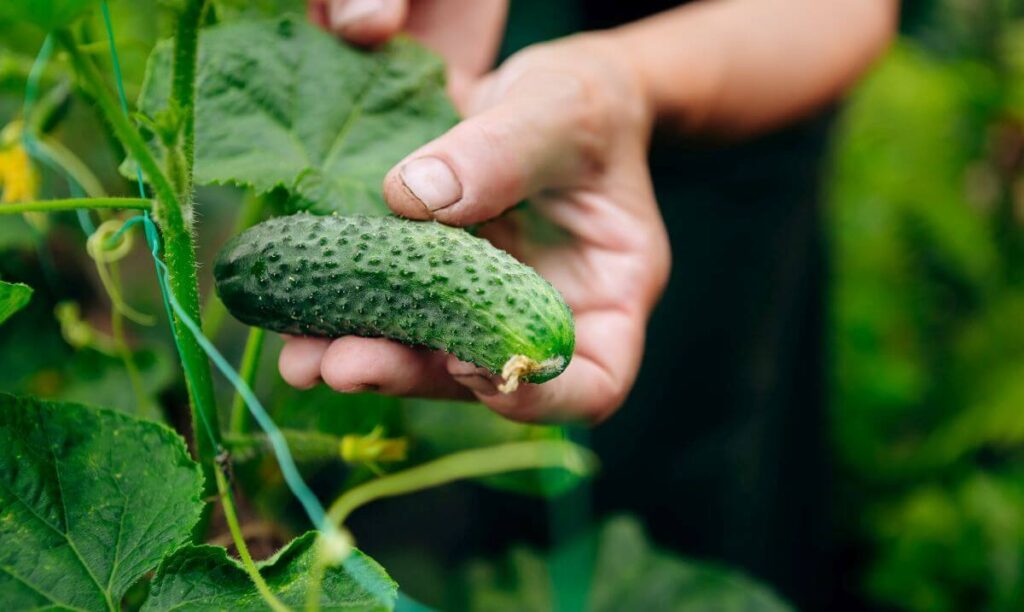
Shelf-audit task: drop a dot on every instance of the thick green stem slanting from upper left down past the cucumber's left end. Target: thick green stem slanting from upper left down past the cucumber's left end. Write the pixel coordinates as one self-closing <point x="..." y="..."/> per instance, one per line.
<point x="179" y="252"/>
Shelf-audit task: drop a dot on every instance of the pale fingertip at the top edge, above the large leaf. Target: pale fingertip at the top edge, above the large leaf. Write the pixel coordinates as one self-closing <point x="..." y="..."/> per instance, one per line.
<point x="363" y="22"/>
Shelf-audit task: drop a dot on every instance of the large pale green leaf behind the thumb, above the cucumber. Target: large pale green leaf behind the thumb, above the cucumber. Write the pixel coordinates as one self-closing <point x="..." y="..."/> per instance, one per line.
<point x="282" y="104"/>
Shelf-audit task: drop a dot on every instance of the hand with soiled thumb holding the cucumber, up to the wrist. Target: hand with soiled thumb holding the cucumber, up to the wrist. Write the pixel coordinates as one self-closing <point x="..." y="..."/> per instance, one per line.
<point x="567" y="126"/>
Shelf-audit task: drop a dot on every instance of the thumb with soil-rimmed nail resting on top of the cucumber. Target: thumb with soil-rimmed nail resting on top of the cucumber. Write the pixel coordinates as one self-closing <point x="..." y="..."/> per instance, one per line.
<point x="526" y="143"/>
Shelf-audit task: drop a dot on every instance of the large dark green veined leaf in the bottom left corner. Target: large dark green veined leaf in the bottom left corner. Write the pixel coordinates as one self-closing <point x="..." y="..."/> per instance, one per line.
<point x="91" y="500"/>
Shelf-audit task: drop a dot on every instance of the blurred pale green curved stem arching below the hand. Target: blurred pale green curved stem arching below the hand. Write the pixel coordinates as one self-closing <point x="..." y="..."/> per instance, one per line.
<point x="468" y="464"/>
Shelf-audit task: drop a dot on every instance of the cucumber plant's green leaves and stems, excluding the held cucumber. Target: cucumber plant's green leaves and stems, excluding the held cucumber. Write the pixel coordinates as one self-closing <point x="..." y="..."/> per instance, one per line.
<point x="205" y="115"/>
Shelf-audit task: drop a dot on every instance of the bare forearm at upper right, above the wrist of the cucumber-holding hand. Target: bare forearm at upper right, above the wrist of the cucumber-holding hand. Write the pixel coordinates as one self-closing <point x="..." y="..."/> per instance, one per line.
<point x="739" y="67"/>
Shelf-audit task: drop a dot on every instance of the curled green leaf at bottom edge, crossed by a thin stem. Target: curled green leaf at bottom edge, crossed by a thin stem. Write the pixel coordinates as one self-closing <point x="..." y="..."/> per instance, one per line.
<point x="205" y="579"/>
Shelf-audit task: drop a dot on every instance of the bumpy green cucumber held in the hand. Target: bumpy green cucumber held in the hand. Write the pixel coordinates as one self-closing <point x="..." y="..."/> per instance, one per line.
<point x="418" y="283"/>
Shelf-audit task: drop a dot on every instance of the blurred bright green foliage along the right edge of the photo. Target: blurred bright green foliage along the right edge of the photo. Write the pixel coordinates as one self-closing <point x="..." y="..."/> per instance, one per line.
<point x="927" y="217"/>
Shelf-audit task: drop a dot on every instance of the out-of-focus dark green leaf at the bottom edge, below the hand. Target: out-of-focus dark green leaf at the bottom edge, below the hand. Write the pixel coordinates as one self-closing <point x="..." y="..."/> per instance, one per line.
<point x="627" y="575"/>
